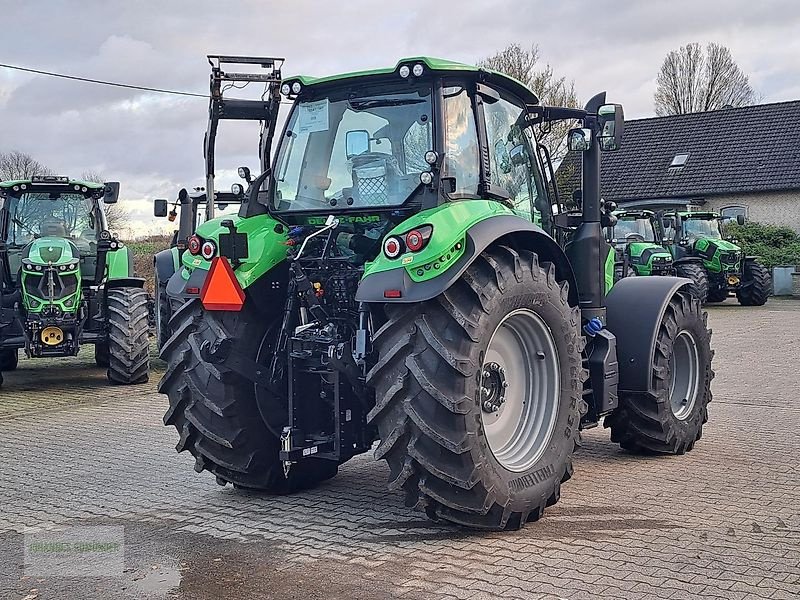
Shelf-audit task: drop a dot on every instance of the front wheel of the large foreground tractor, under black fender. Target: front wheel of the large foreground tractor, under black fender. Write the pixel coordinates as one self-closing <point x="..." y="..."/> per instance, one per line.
<point x="670" y="420"/>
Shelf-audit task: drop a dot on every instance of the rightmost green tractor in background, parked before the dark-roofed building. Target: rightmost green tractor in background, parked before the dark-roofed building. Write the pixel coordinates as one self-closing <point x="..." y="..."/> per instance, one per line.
<point x="698" y="237"/>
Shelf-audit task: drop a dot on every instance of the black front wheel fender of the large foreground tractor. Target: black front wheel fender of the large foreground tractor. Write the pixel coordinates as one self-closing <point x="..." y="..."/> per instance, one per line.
<point x="635" y="307"/>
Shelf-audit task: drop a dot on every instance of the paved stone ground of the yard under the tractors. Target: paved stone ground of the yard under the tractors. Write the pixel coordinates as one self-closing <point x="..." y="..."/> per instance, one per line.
<point x="720" y="522"/>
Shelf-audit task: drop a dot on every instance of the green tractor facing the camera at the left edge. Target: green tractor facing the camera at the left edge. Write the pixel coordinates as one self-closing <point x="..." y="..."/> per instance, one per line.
<point x="66" y="281"/>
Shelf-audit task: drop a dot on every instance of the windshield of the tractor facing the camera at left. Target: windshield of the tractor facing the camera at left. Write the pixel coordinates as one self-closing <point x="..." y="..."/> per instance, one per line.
<point x="43" y="214"/>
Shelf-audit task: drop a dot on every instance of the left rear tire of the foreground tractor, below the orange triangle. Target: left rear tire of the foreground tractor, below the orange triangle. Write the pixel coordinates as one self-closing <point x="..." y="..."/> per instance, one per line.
<point x="215" y="410"/>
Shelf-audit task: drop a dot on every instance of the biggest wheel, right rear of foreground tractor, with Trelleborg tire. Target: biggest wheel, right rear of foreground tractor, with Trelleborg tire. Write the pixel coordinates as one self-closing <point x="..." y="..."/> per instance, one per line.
<point x="507" y="320"/>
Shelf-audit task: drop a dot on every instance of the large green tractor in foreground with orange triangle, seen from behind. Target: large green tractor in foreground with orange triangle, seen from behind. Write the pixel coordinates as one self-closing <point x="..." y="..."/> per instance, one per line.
<point x="386" y="282"/>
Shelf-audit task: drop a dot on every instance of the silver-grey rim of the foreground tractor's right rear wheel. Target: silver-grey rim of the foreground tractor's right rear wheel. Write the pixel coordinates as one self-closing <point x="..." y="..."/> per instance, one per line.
<point x="520" y="390"/>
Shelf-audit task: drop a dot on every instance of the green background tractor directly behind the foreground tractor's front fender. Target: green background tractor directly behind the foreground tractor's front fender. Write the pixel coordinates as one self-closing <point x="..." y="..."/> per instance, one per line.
<point x="636" y="237"/>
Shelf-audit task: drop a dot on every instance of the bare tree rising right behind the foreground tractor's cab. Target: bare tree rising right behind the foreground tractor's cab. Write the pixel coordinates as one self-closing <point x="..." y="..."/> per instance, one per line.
<point x="522" y="64"/>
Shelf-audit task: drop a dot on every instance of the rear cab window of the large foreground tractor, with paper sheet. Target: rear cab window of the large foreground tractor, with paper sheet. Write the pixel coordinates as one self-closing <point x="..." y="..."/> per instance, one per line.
<point x="353" y="149"/>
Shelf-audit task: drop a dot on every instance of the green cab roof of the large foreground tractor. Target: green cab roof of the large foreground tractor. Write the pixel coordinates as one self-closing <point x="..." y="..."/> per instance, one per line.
<point x="436" y="65"/>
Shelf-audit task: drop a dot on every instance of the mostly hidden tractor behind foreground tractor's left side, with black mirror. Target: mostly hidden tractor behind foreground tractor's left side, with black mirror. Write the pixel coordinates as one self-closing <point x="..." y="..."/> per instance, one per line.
<point x="194" y="209"/>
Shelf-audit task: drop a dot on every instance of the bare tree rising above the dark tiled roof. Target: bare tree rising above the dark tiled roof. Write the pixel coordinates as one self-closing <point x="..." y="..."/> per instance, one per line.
<point x="693" y="80"/>
